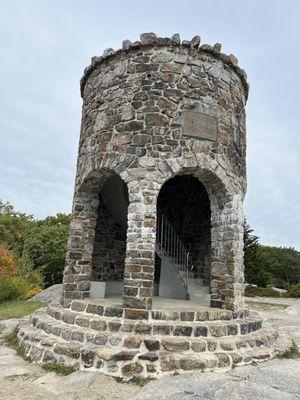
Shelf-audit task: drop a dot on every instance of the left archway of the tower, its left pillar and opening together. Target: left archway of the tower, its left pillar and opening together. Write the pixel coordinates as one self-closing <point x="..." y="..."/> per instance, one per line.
<point x="97" y="239"/>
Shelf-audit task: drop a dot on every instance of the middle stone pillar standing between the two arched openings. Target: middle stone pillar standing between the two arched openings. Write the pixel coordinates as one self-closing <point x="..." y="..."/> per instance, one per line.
<point x="140" y="252"/>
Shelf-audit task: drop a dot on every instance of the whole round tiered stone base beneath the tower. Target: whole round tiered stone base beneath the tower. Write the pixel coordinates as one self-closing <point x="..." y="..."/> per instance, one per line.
<point x="101" y="335"/>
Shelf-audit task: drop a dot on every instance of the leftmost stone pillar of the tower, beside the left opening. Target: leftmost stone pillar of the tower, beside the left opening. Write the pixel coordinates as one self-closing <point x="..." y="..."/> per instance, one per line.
<point x="80" y="246"/>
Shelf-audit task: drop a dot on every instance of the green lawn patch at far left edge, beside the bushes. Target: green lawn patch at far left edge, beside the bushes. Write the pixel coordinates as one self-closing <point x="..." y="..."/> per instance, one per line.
<point x="18" y="309"/>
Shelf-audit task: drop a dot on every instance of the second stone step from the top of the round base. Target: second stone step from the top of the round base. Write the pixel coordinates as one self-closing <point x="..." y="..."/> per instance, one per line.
<point x="186" y="326"/>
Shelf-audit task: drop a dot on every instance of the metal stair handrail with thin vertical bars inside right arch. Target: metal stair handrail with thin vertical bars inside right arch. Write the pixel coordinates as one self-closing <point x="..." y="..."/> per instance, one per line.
<point x="171" y="244"/>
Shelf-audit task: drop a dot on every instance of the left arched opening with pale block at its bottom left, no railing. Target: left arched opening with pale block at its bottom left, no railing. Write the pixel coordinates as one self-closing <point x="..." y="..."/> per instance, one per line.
<point x="108" y="259"/>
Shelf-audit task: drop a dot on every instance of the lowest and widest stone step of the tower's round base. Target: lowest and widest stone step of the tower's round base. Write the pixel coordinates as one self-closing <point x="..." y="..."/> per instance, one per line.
<point x="147" y="357"/>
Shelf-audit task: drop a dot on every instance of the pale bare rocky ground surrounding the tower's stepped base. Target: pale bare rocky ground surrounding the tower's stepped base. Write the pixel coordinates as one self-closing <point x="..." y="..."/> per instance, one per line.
<point x="276" y="379"/>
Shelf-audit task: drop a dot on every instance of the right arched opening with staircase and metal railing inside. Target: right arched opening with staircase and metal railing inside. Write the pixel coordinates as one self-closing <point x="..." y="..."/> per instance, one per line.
<point x="183" y="245"/>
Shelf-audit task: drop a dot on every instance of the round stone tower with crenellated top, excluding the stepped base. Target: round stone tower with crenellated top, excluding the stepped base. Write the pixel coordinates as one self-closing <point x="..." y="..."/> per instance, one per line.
<point x="161" y="176"/>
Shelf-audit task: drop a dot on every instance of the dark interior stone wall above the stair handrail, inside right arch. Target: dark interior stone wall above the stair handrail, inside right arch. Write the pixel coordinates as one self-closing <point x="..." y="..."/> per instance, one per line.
<point x="184" y="201"/>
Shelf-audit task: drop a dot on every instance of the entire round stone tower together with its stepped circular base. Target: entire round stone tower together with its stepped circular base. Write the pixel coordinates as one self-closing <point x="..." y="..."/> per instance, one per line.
<point x="157" y="221"/>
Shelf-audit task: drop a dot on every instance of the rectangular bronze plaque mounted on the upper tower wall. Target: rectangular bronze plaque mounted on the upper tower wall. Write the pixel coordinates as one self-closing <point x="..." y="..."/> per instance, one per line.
<point x="200" y="125"/>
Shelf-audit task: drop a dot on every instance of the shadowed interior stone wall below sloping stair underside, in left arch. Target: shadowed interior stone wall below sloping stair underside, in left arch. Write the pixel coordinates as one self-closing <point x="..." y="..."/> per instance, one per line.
<point x="109" y="249"/>
